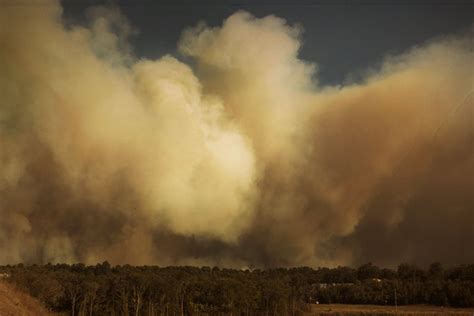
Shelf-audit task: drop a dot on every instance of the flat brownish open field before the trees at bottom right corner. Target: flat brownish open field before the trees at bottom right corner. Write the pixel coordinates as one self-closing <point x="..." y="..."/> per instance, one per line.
<point x="347" y="310"/>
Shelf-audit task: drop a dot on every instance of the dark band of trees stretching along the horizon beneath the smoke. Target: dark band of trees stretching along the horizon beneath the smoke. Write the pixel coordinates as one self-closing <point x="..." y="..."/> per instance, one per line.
<point x="149" y="290"/>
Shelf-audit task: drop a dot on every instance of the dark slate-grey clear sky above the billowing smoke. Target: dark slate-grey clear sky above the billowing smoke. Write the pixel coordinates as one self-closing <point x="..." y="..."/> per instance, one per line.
<point x="343" y="37"/>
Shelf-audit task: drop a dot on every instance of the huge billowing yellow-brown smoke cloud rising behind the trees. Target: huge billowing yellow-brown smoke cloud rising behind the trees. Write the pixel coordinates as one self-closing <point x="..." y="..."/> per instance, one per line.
<point x="241" y="160"/>
